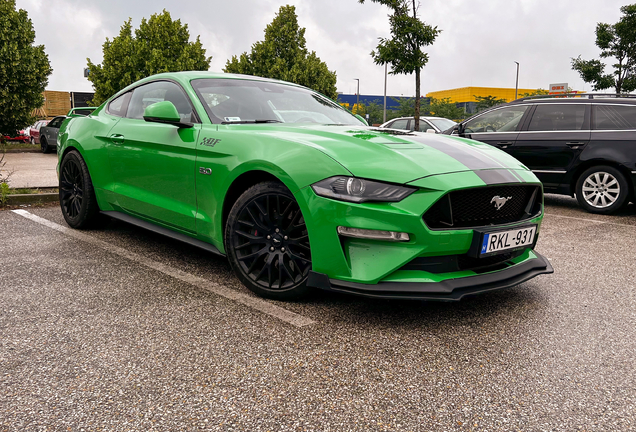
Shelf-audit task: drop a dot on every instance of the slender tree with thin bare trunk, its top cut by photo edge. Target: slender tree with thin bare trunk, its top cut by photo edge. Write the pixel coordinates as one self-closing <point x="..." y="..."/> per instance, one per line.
<point x="403" y="51"/>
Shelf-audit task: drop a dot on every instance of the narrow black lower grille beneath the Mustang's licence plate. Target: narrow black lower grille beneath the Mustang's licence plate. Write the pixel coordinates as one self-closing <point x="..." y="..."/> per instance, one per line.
<point x="453" y="263"/>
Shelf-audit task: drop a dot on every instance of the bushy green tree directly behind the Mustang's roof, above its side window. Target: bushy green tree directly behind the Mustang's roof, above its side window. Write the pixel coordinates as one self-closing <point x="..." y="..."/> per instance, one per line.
<point x="158" y="45"/>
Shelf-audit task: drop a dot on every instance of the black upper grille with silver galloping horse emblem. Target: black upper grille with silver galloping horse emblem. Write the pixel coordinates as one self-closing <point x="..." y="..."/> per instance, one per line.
<point x="470" y="208"/>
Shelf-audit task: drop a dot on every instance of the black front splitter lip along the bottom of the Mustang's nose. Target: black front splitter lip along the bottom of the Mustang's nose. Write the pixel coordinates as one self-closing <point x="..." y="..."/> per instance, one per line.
<point x="445" y="290"/>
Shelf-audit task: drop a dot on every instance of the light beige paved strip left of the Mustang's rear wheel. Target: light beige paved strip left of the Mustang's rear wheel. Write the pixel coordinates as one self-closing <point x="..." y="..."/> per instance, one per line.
<point x="30" y="170"/>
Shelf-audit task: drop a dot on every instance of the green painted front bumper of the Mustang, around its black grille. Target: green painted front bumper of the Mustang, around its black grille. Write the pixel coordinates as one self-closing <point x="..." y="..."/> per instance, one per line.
<point x="371" y="262"/>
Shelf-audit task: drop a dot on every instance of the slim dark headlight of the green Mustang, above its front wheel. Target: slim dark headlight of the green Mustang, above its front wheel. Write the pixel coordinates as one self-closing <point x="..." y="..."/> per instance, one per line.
<point x="357" y="190"/>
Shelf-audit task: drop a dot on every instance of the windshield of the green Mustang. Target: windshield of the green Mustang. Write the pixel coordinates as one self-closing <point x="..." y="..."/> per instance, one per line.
<point x="243" y="101"/>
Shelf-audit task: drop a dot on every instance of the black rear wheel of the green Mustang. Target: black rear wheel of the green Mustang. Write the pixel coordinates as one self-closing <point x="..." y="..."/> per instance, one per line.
<point x="77" y="196"/>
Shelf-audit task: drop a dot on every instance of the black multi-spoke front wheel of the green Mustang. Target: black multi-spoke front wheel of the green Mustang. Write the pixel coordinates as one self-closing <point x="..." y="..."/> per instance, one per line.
<point x="267" y="242"/>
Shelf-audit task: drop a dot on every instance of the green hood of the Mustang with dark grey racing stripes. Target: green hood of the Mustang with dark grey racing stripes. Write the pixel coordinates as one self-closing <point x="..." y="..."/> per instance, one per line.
<point x="399" y="156"/>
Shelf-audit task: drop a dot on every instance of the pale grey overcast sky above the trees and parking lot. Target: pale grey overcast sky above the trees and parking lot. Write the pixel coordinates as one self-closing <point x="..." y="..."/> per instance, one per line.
<point x="479" y="43"/>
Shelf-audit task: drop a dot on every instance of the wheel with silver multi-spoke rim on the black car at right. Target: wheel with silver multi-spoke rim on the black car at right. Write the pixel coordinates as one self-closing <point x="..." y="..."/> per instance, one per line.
<point x="602" y="190"/>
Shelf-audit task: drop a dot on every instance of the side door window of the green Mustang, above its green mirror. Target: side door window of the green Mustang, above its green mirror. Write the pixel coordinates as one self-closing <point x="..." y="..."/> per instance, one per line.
<point x="159" y="91"/>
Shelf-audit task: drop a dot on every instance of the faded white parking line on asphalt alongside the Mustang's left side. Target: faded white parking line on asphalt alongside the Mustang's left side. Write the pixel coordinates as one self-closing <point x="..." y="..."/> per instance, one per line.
<point x="253" y="302"/>
